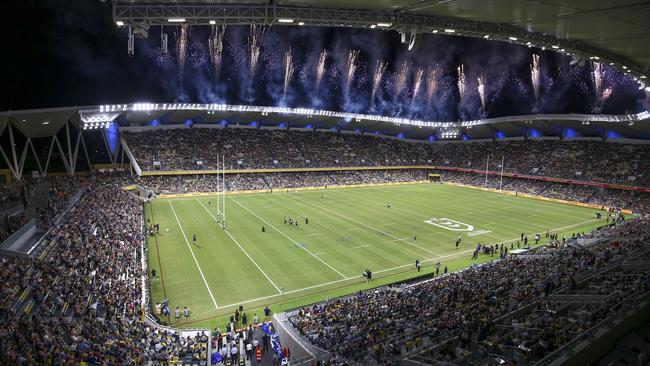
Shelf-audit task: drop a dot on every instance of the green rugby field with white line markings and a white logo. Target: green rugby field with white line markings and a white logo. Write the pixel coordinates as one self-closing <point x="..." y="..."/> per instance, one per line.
<point x="348" y="230"/>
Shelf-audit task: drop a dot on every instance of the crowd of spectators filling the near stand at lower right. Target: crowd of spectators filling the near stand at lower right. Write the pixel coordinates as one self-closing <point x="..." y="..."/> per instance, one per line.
<point x="467" y="306"/>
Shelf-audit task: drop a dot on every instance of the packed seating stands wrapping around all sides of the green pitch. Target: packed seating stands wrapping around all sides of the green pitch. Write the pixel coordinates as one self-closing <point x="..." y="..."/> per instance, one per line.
<point x="58" y="308"/>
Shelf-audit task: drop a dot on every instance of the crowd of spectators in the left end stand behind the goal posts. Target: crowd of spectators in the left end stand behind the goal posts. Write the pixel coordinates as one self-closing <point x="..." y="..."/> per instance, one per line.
<point x="79" y="299"/>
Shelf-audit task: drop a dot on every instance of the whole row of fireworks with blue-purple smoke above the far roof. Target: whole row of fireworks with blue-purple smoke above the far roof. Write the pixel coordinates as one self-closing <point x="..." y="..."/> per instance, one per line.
<point x="248" y="65"/>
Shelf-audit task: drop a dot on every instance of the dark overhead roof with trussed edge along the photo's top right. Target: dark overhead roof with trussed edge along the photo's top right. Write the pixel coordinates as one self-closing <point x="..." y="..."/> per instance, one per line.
<point x="614" y="30"/>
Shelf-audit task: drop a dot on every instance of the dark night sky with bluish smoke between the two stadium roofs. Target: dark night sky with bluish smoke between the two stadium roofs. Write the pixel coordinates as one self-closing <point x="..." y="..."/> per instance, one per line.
<point x="62" y="53"/>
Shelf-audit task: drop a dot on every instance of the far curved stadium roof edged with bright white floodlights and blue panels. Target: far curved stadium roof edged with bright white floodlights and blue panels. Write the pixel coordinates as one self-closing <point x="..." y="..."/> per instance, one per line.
<point x="46" y="122"/>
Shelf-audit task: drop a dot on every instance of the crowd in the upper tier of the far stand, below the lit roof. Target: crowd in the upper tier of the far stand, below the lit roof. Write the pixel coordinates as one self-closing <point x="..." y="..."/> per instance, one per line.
<point x="181" y="149"/>
